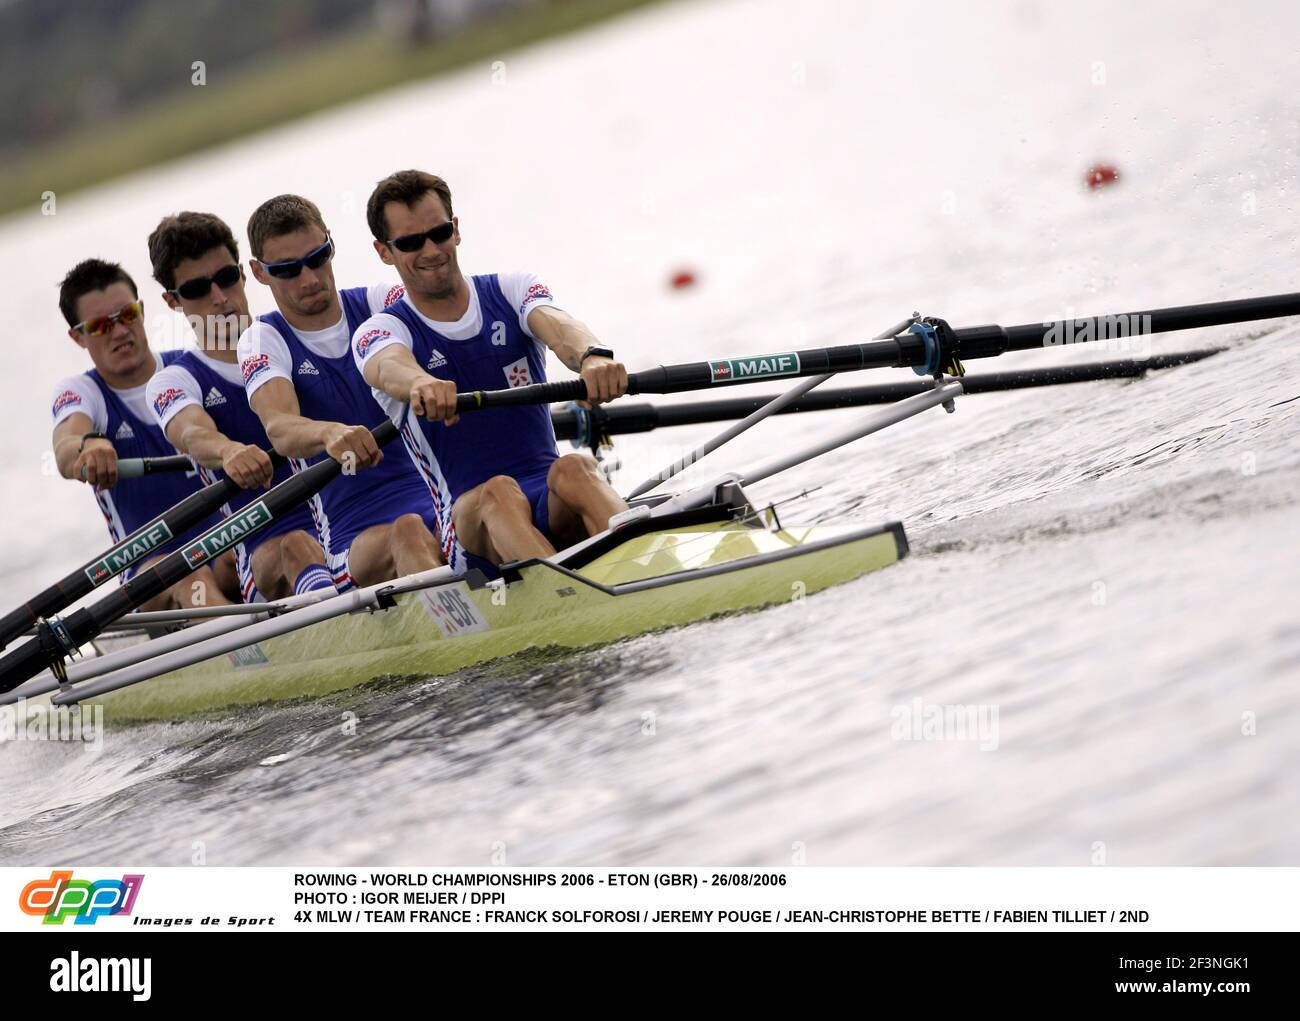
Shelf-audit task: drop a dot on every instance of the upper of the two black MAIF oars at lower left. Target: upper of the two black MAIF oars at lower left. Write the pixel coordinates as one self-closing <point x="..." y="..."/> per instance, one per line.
<point x="141" y="544"/>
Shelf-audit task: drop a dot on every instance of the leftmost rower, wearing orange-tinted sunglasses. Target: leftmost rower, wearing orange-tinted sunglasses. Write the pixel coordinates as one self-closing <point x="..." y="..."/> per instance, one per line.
<point x="103" y="416"/>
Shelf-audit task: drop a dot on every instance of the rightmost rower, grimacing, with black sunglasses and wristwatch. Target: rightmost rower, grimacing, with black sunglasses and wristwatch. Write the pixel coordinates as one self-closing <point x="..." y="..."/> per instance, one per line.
<point x="515" y="496"/>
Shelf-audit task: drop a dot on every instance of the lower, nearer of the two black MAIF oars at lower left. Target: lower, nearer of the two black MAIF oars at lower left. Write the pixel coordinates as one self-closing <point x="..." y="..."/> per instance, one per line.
<point x="58" y="639"/>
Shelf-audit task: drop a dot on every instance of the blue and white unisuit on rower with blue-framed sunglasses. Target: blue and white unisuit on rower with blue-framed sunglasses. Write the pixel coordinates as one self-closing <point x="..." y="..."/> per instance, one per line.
<point x="331" y="390"/>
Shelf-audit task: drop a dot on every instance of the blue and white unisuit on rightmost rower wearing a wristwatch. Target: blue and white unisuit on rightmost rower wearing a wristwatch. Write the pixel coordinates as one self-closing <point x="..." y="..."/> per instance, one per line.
<point x="491" y="347"/>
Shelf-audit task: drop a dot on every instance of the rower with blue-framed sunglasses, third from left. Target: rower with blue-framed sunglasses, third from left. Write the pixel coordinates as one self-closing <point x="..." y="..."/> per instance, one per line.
<point x="300" y="378"/>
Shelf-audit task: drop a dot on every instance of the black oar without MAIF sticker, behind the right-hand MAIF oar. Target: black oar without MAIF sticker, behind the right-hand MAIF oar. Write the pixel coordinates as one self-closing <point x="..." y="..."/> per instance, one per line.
<point x="625" y="418"/>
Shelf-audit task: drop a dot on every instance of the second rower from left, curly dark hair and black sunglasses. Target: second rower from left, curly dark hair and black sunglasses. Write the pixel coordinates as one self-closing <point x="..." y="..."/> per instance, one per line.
<point x="200" y="401"/>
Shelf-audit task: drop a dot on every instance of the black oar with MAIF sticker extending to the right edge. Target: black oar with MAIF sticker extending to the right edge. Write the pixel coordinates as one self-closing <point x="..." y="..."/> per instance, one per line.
<point x="931" y="347"/>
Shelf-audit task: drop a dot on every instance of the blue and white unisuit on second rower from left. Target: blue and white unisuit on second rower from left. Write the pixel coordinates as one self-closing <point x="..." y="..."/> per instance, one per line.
<point x="218" y="388"/>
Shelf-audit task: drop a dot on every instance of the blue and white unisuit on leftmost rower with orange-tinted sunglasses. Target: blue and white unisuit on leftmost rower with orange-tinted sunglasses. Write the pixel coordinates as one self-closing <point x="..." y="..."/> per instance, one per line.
<point x="124" y="418"/>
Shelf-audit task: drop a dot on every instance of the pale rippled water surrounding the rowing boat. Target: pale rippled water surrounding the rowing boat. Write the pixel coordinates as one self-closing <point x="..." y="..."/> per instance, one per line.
<point x="1112" y="568"/>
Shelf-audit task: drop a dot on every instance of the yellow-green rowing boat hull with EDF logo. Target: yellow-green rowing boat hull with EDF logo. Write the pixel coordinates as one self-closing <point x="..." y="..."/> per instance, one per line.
<point x="657" y="581"/>
